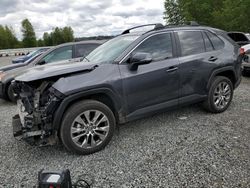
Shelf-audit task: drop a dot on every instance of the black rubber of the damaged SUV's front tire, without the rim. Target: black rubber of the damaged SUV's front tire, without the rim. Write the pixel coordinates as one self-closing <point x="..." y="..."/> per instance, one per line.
<point x="69" y="119"/>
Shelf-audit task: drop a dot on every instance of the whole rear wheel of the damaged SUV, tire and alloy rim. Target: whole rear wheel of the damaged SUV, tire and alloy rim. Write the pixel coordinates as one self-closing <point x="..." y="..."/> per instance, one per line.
<point x="211" y="104"/>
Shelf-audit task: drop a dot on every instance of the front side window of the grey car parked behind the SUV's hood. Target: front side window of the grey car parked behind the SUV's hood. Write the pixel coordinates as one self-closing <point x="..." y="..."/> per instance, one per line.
<point x="59" y="54"/>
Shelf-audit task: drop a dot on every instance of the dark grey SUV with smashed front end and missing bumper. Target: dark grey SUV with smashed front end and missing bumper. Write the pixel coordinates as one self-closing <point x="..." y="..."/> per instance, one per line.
<point x="132" y="76"/>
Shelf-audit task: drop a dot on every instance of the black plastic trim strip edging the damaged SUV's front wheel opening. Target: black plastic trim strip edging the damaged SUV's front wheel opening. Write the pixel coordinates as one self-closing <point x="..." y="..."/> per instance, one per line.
<point x="66" y="102"/>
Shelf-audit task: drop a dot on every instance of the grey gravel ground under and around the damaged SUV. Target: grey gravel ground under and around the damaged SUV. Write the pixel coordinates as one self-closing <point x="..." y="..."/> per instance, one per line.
<point x="187" y="147"/>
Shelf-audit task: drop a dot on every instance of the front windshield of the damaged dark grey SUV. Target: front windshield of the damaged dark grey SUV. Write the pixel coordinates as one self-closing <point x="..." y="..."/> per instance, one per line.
<point x="111" y="50"/>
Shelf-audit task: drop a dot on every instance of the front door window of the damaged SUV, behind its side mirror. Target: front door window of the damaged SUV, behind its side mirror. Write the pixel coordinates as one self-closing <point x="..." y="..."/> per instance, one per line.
<point x="159" y="46"/>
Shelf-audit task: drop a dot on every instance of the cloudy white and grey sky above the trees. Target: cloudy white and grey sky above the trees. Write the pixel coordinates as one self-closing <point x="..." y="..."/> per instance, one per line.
<point x="86" y="17"/>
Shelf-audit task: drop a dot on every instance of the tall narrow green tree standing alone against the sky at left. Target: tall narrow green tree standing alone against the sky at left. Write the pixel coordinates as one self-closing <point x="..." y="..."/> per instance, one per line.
<point x="29" y="36"/>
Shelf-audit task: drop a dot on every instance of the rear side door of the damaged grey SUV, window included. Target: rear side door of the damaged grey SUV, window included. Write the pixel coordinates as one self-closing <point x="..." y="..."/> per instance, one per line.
<point x="198" y="57"/>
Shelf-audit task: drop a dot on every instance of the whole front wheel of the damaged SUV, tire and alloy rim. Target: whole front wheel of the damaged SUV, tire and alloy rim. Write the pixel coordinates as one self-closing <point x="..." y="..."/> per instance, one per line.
<point x="81" y="123"/>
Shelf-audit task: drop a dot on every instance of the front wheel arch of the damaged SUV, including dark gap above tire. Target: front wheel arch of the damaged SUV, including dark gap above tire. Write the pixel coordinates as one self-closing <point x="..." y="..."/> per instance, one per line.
<point x="104" y="95"/>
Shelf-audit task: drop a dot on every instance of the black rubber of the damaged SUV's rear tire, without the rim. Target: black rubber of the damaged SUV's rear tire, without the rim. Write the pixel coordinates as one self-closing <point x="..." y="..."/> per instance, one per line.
<point x="209" y="104"/>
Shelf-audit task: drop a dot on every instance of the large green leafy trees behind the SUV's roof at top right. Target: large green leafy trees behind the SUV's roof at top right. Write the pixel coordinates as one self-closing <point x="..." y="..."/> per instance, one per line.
<point x="229" y="15"/>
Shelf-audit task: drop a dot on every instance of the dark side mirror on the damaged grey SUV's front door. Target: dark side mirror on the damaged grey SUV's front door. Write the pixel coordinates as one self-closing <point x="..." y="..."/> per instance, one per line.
<point x="139" y="58"/>
